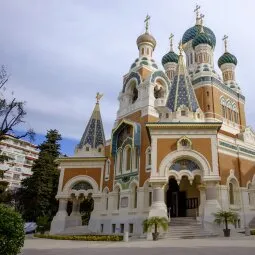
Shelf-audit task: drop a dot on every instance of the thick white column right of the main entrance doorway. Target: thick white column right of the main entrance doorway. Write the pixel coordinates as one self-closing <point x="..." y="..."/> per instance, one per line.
<point x="211" y="203"/>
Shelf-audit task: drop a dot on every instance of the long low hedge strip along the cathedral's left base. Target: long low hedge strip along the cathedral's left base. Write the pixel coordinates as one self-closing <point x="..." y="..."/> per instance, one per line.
<point x="83" y="238"/>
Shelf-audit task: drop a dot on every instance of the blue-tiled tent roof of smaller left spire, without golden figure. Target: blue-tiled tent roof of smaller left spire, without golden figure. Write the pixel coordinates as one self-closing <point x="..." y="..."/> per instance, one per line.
<point x="94" y="132"/>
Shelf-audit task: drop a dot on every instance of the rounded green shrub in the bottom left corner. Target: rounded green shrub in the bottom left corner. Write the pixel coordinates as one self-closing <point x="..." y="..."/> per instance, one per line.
<point x="11" y="231"/>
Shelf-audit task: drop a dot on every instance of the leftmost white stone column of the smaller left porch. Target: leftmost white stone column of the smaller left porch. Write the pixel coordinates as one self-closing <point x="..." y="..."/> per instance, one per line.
<point x="58" y="223"/>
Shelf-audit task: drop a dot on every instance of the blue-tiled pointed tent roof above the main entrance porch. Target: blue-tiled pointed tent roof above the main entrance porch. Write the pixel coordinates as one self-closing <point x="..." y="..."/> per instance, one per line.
<point x="181" y="91"/>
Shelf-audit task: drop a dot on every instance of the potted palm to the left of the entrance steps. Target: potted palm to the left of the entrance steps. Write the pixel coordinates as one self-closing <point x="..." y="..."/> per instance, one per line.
<point x="155" y="222"/>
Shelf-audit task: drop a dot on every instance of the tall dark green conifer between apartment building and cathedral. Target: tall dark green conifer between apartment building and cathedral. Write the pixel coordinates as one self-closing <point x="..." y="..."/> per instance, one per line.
<point x="37" y="195"/>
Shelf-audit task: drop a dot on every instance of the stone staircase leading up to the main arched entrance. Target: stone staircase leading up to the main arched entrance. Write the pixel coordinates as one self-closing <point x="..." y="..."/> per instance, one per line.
<point x="187" y="227"/>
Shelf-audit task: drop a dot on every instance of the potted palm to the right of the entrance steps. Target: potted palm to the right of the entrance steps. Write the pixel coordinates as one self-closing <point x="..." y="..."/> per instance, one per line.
<point x="225" y="217"/>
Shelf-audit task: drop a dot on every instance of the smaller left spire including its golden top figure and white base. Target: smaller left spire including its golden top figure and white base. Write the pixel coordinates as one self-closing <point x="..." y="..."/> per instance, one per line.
<point x="93" y="137"/>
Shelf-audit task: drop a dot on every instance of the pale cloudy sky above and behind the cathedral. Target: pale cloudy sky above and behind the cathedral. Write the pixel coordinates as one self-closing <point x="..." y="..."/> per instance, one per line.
<point x="60" y="53"/>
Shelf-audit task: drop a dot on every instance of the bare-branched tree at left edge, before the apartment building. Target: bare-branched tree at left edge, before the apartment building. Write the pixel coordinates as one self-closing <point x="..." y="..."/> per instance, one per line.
<point x="12" y="114"/>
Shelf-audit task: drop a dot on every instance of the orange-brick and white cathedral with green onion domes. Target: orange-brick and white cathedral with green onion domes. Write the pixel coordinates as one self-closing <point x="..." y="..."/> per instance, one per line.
<point x="180" y="146"/>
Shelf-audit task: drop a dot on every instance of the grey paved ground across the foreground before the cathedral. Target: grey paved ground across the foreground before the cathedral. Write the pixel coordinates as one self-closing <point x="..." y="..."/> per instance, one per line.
<point x="174" y="247"/>
